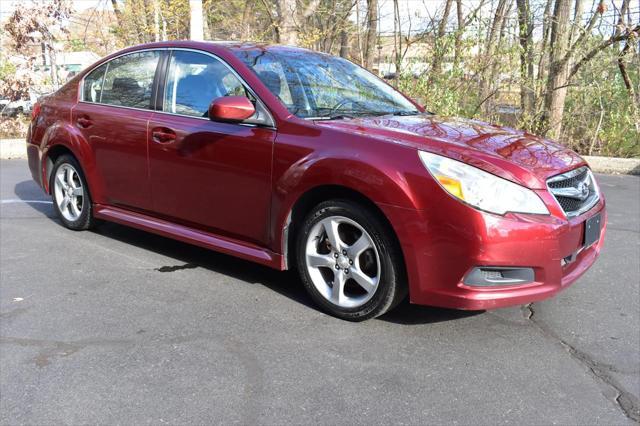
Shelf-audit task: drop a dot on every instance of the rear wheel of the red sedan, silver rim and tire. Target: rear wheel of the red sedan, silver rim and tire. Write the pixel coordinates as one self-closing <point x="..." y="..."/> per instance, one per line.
<point x="70" y="193"/>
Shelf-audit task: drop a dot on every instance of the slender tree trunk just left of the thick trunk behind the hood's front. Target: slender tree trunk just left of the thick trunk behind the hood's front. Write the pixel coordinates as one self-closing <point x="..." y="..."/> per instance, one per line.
<point x="527" y="92"/>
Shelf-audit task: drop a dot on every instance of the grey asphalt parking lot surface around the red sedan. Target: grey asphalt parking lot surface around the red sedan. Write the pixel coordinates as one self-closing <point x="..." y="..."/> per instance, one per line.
<point x="119" y="326"/>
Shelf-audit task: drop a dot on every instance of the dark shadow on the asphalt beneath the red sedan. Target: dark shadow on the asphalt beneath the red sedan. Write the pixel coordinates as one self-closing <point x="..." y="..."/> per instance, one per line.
<point x="187" y="256"/>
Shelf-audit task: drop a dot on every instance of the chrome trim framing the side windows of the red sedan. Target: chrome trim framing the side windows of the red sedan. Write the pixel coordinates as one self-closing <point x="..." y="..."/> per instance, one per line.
<point x="233" y="71"/>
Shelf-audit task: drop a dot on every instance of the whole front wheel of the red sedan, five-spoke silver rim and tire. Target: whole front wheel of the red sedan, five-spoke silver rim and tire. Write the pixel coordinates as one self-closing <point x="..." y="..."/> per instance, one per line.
<point x="349" y="261"/>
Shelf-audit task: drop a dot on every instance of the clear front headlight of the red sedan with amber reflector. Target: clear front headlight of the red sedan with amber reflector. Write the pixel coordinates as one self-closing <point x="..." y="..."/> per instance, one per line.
<point x="481" y="189"/>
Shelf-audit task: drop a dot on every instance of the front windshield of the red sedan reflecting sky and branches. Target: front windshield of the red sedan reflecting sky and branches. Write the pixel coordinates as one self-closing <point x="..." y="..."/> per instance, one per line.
<point x="318" y="86"/>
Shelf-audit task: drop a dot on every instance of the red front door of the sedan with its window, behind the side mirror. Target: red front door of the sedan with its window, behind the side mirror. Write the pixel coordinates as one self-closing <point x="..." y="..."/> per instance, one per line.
<point x="207" y="174"/>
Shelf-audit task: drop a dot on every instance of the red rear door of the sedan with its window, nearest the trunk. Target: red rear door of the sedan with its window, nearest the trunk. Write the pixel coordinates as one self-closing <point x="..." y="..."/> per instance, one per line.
<point x="112" y="116"/>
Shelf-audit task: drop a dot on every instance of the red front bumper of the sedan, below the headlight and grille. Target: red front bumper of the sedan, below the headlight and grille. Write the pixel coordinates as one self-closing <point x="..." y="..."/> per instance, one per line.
<point x="441" y="245"/>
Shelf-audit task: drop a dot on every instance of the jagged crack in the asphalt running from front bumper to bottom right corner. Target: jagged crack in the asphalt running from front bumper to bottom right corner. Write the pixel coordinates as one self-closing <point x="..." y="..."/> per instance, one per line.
<point x="627" y="402"/>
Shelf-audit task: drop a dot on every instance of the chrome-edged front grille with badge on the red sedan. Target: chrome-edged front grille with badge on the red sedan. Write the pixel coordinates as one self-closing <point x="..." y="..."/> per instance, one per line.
<point x="575" y="191"/>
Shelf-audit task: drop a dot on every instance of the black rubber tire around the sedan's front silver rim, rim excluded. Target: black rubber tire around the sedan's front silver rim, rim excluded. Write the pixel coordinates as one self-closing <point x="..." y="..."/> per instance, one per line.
<point x="391" y="288"/>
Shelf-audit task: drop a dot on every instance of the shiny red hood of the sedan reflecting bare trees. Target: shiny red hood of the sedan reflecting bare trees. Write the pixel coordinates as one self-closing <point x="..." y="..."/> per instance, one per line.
<point x="515" y="155"/>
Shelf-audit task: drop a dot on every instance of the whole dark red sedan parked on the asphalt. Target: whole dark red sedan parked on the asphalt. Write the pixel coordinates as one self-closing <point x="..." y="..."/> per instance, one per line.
<point x="298" y="159"/>
